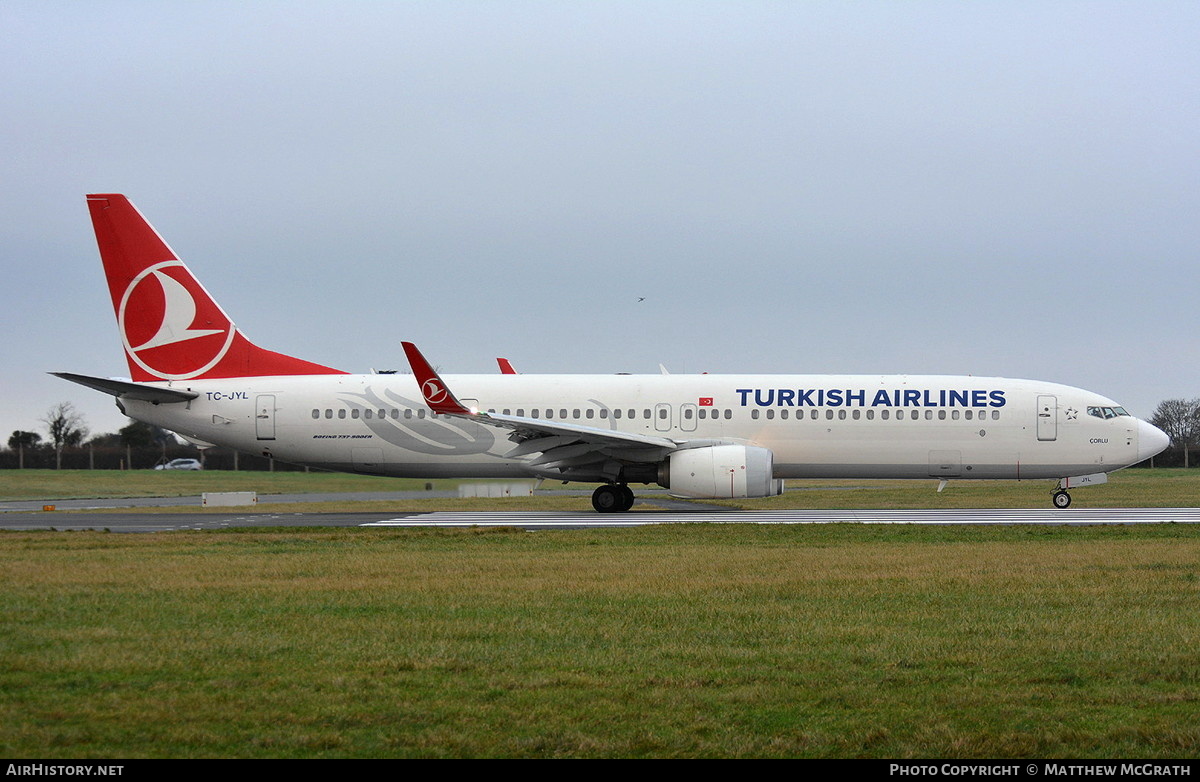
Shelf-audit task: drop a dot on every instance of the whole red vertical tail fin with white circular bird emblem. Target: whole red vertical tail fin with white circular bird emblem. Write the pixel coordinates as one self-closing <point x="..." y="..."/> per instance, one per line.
<point x="172" y="328"/>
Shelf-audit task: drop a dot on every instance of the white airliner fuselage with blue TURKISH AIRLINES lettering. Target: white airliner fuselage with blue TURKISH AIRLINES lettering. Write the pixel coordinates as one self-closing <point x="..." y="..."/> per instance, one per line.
<point x="817" y="426"/>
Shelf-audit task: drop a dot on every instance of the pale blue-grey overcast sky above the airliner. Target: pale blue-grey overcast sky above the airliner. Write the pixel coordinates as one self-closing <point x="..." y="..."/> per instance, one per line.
<point x="1007" y="189"/>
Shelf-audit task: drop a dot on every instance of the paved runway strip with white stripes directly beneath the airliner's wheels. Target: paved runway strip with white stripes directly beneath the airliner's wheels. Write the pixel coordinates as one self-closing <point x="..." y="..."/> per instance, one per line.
<point x="119" y="522"/>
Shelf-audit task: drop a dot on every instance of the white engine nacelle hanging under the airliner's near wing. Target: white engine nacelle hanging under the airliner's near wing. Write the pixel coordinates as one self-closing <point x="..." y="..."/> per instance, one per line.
<point x="721" y="472"/>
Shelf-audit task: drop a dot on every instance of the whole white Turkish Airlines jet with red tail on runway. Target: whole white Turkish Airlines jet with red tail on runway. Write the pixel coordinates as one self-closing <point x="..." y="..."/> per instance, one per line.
<point x="700" y="436"/>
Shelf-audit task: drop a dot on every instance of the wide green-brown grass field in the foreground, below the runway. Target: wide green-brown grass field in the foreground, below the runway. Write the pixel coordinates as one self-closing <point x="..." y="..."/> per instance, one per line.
<point x="682" y="641"/>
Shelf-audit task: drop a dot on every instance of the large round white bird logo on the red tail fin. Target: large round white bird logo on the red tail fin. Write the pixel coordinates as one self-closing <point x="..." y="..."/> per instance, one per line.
<point x="171" y="327"/>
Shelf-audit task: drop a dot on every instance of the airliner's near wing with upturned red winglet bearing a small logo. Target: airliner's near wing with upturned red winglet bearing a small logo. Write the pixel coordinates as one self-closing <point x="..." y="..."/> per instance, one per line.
<point x="562" y="446"/>
